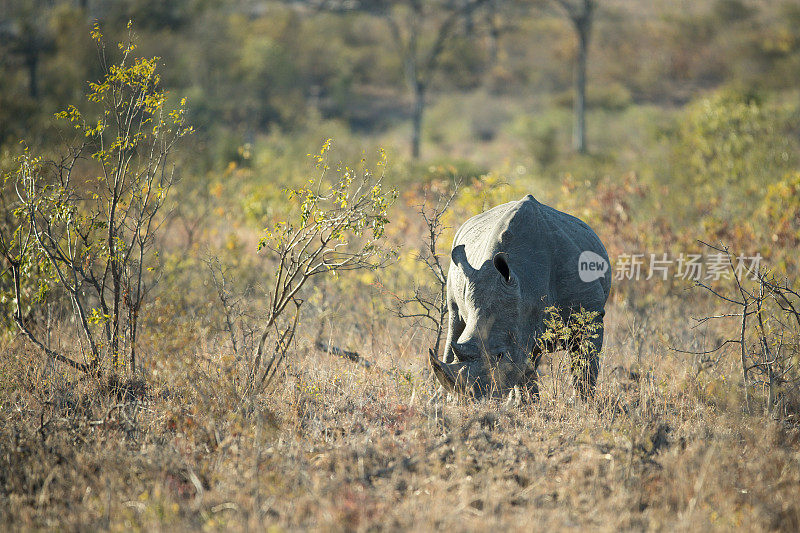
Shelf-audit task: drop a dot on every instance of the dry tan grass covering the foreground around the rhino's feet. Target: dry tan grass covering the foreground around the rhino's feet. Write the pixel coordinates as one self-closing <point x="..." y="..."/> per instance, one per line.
<point x="338" y="447"/>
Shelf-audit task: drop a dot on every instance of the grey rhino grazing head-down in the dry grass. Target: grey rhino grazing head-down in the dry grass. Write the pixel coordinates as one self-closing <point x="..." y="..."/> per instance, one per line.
<point x="507" y="266"/>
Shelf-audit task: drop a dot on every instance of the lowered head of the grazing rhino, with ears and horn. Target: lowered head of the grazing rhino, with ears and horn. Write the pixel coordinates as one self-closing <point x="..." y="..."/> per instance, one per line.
<point x="489" y="343"/>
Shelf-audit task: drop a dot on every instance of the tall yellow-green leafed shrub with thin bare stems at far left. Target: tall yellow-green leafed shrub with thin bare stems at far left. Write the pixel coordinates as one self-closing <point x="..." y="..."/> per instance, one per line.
<point x="87" y="222"/>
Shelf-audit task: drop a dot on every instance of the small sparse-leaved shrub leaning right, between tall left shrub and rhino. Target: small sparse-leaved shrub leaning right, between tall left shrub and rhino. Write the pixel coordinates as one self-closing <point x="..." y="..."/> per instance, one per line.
<point x="332" y="228"/>
